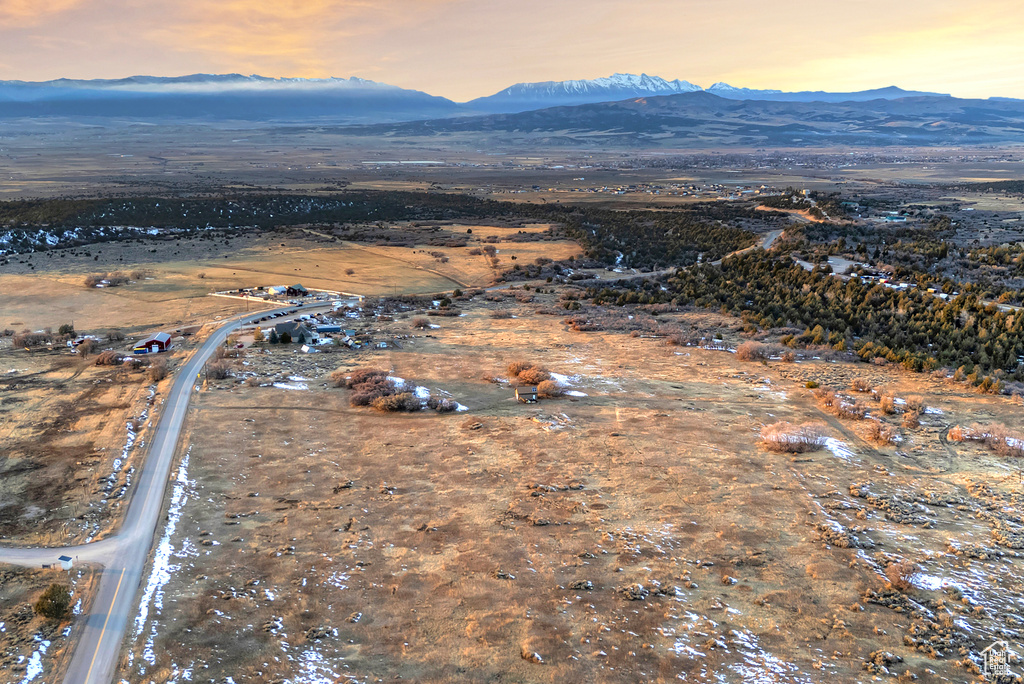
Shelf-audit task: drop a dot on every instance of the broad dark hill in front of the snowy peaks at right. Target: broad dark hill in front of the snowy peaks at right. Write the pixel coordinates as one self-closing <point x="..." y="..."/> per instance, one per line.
<point x="705" y="120"/>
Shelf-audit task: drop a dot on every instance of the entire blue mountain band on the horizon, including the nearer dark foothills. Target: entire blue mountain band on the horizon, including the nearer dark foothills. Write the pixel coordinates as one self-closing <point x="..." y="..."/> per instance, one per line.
<point x="621" y="110"/>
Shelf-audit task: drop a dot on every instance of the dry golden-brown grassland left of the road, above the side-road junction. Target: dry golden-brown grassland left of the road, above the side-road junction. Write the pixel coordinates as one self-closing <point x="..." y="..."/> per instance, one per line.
<point x="70" y="429"/>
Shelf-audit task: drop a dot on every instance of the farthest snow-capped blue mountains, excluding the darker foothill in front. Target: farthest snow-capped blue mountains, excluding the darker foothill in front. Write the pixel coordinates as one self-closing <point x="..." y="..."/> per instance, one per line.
<point x="234" y="97"/>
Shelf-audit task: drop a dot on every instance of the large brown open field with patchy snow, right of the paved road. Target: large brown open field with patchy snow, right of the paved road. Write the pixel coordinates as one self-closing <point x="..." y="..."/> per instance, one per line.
<point x="633" y="533"/>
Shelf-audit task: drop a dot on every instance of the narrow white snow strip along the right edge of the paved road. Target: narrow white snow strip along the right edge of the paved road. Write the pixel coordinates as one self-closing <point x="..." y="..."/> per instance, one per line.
<point x="153" y="594"/>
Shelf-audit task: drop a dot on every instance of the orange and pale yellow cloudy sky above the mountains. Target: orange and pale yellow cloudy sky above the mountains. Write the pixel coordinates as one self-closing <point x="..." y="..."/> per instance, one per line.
<point x="463" y="50"/>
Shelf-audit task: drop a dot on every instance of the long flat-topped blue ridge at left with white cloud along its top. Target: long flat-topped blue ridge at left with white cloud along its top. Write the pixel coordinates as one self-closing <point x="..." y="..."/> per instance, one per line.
<point x="222" y="98"/>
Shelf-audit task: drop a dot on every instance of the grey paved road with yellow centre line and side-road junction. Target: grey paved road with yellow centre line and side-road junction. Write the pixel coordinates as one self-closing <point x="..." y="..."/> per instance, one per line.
<point x="124" y="557"/>
